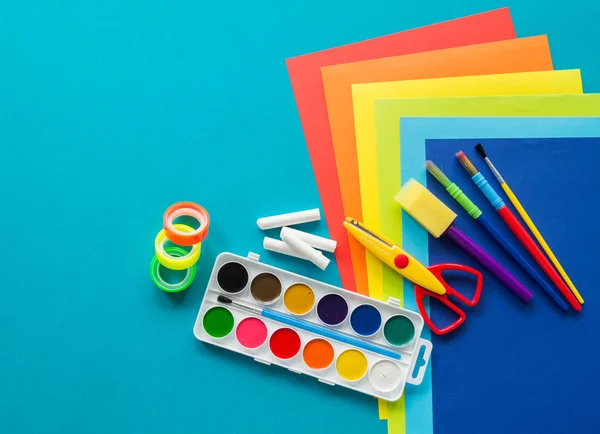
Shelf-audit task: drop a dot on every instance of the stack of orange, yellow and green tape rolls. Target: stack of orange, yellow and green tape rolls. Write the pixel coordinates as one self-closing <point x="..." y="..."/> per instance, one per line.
<point x="176" y="257"/>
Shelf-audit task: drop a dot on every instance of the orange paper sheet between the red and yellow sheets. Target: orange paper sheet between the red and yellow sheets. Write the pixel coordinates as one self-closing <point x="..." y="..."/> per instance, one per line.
<point x="517" y="55"/>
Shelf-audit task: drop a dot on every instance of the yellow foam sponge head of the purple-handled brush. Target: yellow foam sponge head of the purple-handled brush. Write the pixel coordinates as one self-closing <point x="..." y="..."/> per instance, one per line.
<point x="424" y="207"/>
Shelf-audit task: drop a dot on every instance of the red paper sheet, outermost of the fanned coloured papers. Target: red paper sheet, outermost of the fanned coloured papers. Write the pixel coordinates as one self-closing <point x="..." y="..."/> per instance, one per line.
<point x="305" y="76"/>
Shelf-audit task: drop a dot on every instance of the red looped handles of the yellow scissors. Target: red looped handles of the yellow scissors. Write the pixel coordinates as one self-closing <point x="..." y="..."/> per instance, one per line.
<point x="421" y="293"/>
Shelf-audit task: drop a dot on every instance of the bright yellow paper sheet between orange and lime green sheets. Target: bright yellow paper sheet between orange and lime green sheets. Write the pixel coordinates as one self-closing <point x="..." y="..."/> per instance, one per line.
<point x="364" y="96"/>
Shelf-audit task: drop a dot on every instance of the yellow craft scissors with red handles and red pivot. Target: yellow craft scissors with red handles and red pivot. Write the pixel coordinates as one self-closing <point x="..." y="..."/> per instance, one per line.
<point x="428" y="281"/>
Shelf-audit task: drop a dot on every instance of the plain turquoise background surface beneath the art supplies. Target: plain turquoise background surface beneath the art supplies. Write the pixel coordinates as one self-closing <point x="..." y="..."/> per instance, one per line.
<point x="109" y="113"/>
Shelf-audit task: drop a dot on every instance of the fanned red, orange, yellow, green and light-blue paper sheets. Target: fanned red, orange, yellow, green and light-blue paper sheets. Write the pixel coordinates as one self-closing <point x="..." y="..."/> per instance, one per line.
<point x="357" y="105"/>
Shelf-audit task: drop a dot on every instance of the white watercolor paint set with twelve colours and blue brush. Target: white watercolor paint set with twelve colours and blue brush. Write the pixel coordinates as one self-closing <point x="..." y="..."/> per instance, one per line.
<point x="309" y="327"/>
